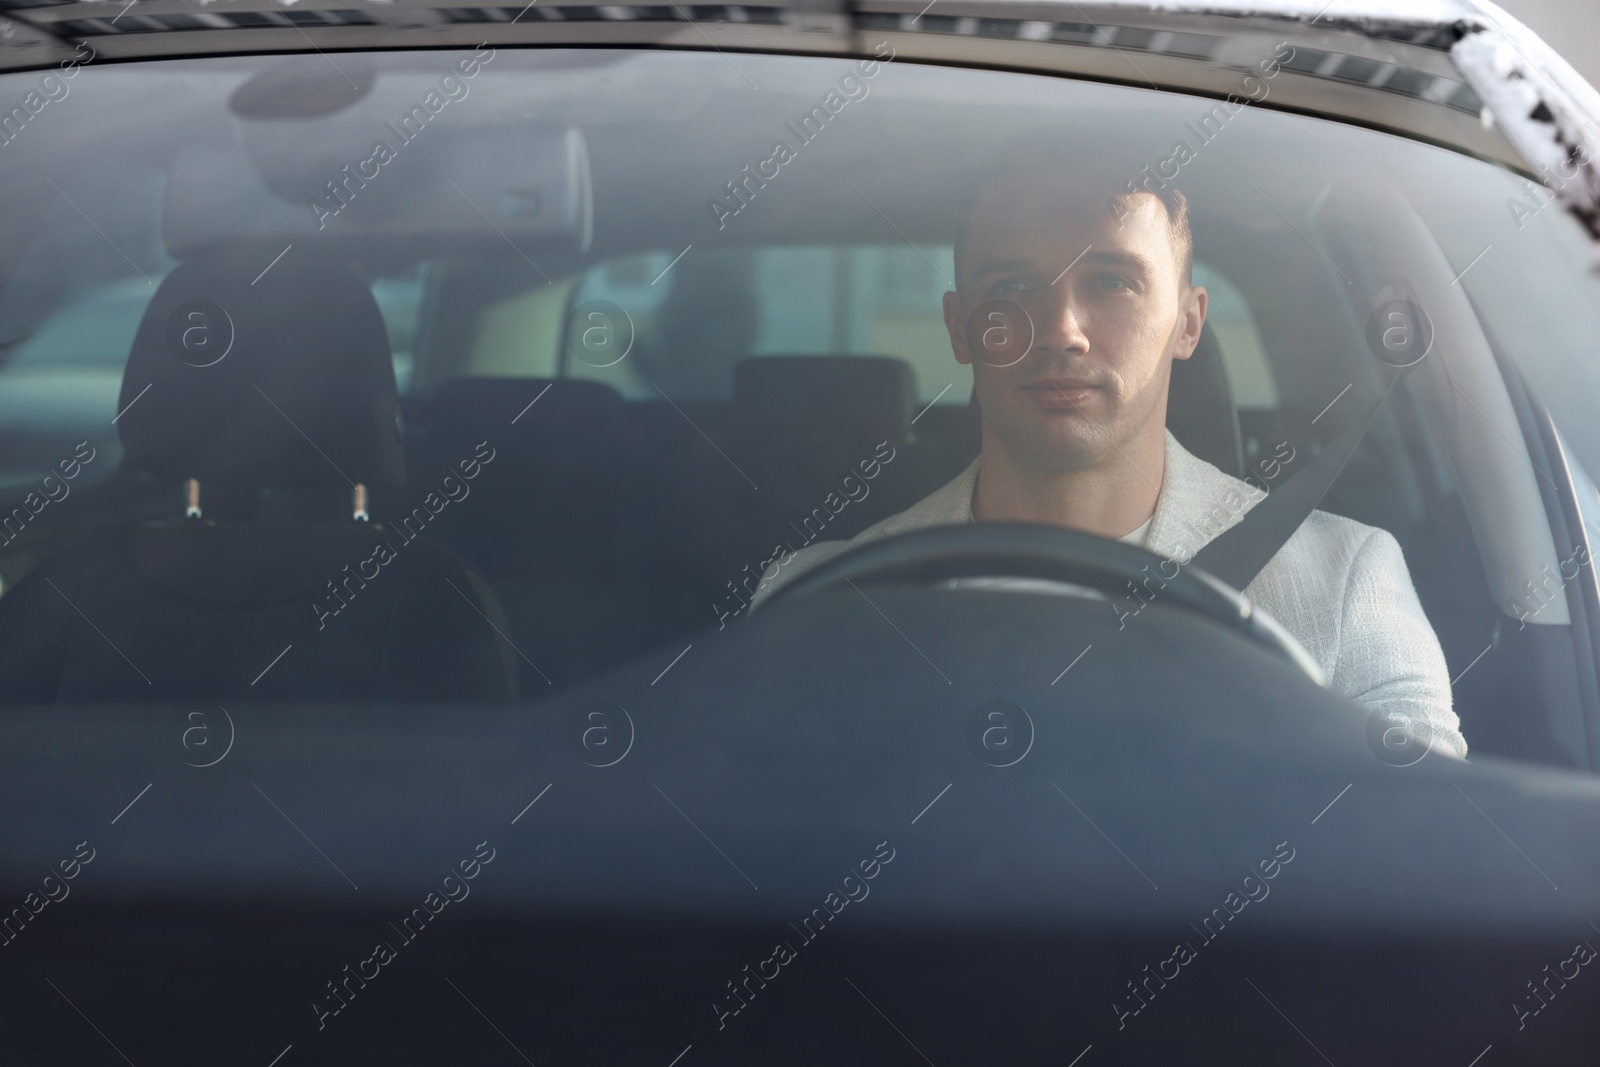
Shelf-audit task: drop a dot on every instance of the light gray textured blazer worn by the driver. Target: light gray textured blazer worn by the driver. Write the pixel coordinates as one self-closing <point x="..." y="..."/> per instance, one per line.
<point x="1338" y="586"/>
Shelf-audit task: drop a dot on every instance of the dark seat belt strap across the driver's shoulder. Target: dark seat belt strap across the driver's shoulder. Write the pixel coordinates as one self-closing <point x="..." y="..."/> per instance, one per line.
<point x="1242" y="551"/>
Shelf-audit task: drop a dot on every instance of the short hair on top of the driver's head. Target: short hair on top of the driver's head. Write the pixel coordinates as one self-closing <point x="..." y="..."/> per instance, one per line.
<point x="1094" y="166"/>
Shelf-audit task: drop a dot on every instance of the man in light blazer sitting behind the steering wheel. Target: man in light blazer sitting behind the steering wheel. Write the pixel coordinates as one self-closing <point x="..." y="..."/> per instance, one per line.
<point x="1074" y="428"/>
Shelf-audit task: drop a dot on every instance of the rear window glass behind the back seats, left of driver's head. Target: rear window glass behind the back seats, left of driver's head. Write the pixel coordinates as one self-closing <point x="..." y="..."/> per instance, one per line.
<point x="690" y="321"/>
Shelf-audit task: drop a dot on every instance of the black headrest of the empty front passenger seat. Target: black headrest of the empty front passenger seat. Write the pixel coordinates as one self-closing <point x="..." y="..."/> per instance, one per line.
<point x="249" y="380"/>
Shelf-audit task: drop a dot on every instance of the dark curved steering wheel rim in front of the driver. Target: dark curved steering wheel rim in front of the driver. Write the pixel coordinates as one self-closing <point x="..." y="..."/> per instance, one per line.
<point x="1052" y="554"/>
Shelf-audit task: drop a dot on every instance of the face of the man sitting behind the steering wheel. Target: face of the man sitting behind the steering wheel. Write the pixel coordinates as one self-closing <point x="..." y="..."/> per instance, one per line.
<point x="1108" y="308"/>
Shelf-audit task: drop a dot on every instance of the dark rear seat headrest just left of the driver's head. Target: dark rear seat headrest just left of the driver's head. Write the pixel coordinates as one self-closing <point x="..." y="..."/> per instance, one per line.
<point x="810" y="394"/>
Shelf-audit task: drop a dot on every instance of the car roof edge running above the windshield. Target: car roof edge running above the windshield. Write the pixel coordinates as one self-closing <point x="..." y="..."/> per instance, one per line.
<point x="1474" y="79"/>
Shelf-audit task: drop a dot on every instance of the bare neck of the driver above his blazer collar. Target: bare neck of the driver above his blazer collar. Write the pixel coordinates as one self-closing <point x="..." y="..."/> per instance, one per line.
<point x="1108" y="500"/>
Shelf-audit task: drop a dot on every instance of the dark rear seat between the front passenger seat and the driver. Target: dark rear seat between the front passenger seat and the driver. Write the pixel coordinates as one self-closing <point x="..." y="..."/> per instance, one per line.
<point x="615" y="529"/>
